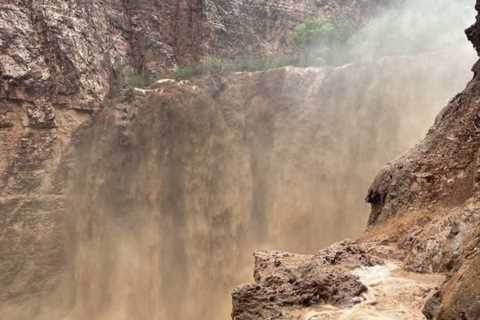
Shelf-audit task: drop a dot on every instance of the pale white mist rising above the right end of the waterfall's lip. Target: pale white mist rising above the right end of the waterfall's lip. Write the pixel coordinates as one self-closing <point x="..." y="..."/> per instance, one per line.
<point x="413" y="27"/>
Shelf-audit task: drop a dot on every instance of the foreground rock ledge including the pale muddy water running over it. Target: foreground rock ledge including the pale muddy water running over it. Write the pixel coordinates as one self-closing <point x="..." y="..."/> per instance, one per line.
<point x="387" y="291"/>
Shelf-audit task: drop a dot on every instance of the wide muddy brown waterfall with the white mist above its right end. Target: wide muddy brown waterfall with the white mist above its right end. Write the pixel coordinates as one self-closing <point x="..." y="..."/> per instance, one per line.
<point x="170" y="194"/>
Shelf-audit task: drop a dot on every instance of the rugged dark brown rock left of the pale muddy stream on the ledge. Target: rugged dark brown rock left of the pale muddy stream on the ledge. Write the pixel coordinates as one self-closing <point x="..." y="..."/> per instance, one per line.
<point x="284" y="280"/>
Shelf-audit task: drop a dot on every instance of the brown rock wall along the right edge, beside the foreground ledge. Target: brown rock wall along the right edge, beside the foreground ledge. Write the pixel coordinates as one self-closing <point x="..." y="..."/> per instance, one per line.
<point x="439" y="178"/>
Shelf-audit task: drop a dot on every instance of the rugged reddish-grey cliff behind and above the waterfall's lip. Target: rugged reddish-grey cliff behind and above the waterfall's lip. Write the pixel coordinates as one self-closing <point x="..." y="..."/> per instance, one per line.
<point x="63" y="51"/>
